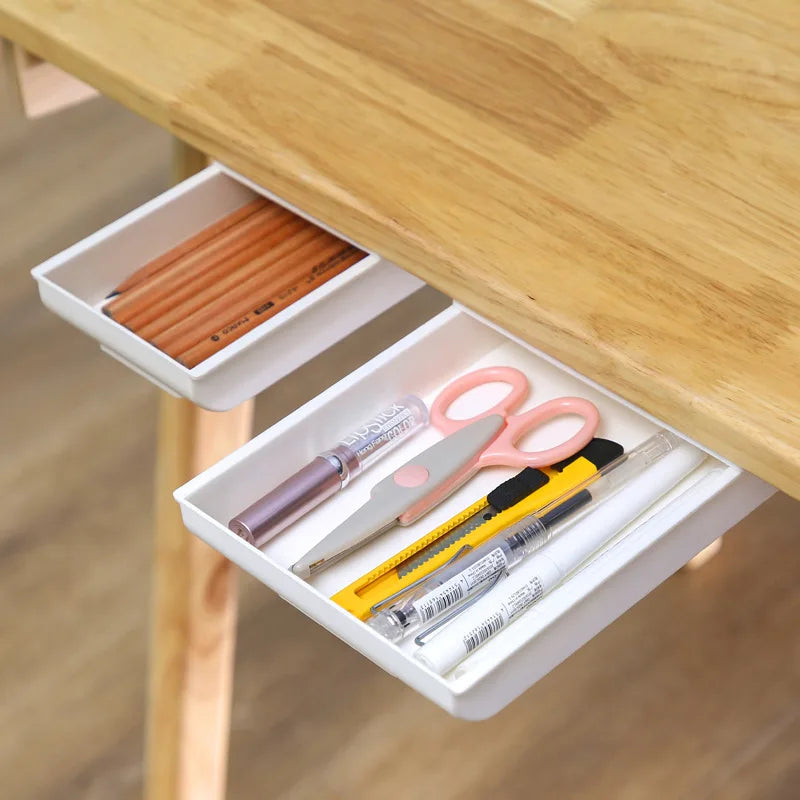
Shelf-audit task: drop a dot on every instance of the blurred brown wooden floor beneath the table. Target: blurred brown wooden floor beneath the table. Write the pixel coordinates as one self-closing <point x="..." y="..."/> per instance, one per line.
<point x="694" y="694"/>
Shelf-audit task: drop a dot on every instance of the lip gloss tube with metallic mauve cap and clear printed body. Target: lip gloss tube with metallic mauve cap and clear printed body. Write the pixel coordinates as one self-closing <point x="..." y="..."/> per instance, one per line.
<point x="330" y="471"/>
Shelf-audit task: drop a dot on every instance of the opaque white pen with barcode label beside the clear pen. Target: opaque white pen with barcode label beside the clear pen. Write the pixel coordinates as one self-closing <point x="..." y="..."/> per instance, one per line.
<point x="544" y="571"/>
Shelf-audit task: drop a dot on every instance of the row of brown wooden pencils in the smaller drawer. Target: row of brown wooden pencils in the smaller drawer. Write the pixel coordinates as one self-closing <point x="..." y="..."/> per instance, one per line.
<point x="221" y="283"/>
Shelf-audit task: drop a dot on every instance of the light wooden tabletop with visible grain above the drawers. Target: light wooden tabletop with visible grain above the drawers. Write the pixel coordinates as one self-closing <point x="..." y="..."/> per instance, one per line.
<point x="617" y="182"/>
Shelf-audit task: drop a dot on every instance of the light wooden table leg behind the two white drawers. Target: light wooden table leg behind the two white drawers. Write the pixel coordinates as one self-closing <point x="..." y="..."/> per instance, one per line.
<point x="193" y="623"/>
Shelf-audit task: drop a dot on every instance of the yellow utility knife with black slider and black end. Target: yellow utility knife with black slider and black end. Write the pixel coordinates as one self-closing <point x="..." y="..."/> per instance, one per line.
<point x="512" y="500"/>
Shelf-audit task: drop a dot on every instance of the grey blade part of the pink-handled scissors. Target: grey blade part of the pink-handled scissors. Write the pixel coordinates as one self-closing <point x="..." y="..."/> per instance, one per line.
<point x="388" y="500"/>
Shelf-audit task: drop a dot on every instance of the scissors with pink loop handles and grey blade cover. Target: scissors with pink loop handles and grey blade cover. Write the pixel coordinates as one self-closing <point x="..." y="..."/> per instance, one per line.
<point x="487" y="439"/>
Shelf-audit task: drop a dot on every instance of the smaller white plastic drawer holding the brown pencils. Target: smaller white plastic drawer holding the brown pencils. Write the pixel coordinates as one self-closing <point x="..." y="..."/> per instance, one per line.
<point x="75" y="283"/>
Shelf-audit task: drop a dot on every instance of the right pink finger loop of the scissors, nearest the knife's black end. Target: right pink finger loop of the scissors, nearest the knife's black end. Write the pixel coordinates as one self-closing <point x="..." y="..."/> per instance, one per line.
<point x="503" y="450"/>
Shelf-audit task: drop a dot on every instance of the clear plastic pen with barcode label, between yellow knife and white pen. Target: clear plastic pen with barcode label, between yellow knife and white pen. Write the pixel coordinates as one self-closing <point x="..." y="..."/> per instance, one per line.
<point x="474" y="571"/>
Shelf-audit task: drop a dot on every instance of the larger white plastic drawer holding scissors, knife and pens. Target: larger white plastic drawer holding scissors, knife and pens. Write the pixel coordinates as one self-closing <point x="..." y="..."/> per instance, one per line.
<point x="705" y="504"/>
